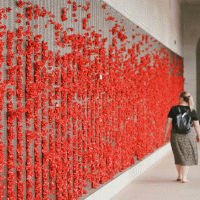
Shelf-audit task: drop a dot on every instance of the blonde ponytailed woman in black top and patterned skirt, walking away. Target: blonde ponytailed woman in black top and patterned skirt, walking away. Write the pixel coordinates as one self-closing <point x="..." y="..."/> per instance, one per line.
<point x="184" y="145"/>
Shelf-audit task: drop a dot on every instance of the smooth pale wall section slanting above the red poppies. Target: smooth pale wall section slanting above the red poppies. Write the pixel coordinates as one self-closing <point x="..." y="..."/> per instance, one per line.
<point x="160" y="18"/>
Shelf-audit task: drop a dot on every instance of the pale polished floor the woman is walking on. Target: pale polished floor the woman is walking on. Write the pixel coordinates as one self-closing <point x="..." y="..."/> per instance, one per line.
<point x="159" y="183"/>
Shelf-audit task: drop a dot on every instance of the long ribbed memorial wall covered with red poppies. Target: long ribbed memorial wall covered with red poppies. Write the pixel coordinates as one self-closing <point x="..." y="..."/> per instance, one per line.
<point x="84" y="94"/>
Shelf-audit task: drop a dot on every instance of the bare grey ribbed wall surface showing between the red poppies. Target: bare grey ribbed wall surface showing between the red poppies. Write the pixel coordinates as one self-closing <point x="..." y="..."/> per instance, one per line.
<point x="98" y="20"/>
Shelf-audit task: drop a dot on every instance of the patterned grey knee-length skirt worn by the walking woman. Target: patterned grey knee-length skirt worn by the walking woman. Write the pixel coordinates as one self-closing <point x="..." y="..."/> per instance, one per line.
<point x="184" y="147"/>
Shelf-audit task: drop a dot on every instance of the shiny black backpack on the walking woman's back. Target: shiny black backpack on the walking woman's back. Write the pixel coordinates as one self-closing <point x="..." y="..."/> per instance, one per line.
<point x="183" y="122"/>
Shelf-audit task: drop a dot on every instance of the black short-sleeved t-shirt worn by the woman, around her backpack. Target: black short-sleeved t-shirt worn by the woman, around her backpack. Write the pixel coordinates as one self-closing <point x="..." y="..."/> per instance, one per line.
<point x="174" y="112"/>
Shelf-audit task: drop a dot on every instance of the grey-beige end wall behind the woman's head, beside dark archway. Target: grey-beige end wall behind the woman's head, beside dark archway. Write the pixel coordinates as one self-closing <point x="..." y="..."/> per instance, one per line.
<point x="191" y="36"/>
